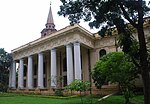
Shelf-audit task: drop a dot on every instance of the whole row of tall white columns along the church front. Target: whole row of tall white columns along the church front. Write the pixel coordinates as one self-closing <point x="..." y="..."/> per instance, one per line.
<point x="73" y="68"/>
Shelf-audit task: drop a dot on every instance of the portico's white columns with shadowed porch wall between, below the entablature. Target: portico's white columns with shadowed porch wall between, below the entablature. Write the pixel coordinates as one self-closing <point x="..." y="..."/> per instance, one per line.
<point x="50" y="61"/>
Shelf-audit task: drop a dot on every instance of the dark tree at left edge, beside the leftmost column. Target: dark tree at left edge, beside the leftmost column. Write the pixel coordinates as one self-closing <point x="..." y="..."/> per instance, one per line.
<point x="5" y="62"/>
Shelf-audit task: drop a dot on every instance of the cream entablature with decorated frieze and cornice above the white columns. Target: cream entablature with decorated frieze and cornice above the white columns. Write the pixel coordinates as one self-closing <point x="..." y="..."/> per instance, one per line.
<point x="62" y="37"/>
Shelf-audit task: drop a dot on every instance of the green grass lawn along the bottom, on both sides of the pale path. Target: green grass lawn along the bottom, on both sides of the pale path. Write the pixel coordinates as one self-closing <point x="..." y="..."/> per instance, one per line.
<point x="31" y="99"/>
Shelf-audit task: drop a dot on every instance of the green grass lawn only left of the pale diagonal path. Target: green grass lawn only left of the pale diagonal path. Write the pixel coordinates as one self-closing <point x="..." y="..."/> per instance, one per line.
<point x="19" y="99"/>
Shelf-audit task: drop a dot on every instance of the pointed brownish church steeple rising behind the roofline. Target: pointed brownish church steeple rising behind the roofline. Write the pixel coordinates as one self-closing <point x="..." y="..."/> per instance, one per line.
<point x="50" y="26"/>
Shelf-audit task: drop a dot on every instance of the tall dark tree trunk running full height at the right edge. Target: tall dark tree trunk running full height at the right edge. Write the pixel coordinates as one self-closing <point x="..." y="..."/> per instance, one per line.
<point x="143" y="55"/>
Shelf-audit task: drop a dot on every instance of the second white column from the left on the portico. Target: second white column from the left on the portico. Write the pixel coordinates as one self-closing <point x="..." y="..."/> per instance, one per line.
<point x="20" y="74"/>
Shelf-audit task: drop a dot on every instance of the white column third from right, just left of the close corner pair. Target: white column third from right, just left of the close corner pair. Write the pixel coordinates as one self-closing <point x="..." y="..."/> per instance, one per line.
<point x="53" y="68"/>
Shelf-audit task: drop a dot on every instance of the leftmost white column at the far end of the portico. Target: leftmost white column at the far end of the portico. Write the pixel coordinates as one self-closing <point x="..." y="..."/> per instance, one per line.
<point x="13" y="83"/>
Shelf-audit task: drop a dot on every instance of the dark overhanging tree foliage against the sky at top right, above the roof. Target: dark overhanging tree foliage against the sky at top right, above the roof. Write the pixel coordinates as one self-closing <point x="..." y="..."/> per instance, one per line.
<point x="98" y="12"/>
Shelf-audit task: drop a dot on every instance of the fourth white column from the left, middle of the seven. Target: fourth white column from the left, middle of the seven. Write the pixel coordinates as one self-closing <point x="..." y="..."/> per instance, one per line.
<point x="40" y="71"/>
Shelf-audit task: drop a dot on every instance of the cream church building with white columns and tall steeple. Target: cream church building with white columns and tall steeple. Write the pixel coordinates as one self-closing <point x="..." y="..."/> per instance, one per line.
<point x="69" y="53"/>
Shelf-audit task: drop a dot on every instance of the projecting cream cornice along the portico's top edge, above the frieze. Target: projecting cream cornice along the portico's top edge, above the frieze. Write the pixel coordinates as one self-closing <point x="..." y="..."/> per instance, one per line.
<point x="59" y="33"/>
